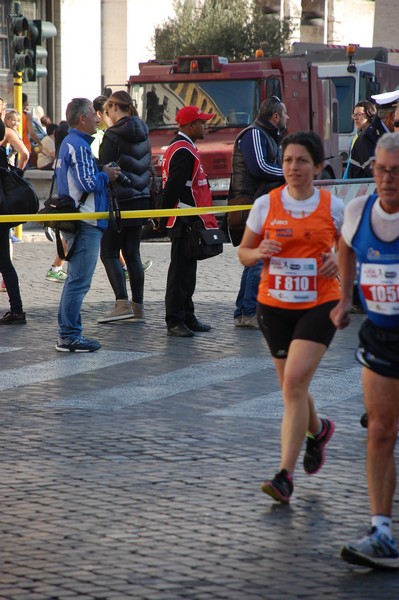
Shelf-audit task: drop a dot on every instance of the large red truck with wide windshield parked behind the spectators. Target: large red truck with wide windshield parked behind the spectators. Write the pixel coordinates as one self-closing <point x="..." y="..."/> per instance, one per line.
<point x="233" y="91"/>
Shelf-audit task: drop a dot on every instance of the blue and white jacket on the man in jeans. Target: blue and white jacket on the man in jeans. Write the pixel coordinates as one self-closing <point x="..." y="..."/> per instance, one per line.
<point x="77" y="172"/>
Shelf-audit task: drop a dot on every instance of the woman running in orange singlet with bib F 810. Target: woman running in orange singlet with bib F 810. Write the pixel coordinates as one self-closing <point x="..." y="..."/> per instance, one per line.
<point x="294" y="229"/>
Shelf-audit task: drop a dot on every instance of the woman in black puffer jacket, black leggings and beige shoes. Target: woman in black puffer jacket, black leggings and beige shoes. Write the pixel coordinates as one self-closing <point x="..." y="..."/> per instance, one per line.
<point x="127" y="143"/>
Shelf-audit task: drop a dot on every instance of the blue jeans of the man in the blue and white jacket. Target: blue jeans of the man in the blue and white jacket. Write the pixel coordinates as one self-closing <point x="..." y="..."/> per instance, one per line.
<point x="81" y="267"/>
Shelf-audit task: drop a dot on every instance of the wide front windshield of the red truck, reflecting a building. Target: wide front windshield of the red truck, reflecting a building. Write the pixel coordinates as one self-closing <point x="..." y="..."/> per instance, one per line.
<point x="234" y="103"/>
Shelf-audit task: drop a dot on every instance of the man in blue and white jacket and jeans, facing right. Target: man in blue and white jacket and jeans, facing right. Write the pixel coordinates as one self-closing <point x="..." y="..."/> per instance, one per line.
<point x="78" y="176"/>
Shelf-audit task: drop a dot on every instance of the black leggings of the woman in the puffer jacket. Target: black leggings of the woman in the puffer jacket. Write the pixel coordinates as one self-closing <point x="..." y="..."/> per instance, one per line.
<point x="128" y="240"/>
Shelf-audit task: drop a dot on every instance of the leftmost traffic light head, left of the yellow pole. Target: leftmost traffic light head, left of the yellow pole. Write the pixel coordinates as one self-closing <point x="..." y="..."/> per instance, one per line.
<point x="19" y="46"/>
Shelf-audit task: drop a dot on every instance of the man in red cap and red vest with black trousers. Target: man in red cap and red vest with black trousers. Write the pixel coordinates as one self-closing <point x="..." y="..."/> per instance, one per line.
<point x="184" y="185"/>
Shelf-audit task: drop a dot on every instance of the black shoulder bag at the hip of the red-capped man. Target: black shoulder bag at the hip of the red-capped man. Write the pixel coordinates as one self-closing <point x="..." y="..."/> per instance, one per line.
<point x="201" y="243"/>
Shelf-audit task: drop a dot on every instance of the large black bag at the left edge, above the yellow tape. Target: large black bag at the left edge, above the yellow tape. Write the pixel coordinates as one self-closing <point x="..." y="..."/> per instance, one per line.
<point x="17" y="196"/>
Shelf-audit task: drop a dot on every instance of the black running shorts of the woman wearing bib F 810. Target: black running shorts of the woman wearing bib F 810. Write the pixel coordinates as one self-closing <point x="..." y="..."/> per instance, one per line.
<point x="281" y="325"/>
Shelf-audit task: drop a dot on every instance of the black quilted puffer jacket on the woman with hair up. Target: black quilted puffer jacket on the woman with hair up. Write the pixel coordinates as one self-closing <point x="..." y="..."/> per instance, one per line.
<point x="127" y="143"/>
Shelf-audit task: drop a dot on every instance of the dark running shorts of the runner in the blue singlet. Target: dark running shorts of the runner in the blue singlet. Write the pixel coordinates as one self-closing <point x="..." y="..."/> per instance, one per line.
<point x="379" y="349"/>
